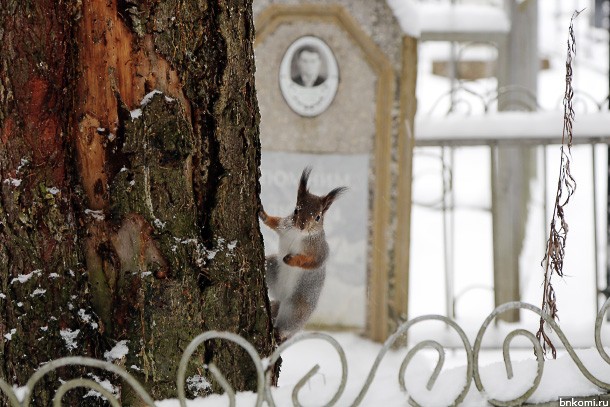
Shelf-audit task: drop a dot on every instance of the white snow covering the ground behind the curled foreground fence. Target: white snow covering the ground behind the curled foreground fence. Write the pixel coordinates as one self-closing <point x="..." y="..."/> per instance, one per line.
<point x="473" y="259"/>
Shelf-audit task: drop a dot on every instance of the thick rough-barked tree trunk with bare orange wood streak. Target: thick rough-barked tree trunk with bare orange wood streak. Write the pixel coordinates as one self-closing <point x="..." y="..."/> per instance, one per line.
<point x="129" y="161"/>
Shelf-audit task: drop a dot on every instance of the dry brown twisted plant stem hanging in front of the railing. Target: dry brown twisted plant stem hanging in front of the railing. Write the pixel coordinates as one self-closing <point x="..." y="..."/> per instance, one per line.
<point x="566" y="185"/>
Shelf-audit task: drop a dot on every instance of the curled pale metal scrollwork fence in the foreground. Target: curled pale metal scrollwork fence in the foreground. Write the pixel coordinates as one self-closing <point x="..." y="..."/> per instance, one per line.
<point x="263" y="368"/>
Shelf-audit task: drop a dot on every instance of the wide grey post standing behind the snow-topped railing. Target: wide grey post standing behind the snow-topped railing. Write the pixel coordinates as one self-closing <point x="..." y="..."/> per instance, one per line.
<point x="514" y="165"/>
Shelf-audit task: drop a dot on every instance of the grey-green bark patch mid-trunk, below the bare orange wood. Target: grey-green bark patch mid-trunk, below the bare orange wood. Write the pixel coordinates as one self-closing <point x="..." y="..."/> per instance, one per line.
<point x="155" y="182"/>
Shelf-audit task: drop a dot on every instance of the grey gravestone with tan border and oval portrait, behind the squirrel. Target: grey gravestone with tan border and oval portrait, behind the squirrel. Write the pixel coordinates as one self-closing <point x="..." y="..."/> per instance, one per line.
<point x="335" y="84"/>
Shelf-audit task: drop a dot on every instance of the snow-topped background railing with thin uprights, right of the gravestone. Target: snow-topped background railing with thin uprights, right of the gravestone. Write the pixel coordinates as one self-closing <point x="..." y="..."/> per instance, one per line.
<point x="448" y="134"/>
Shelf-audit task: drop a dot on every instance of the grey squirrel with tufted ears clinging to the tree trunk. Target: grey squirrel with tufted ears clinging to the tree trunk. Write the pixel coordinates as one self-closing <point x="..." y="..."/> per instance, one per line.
<point x="295" y="275"/>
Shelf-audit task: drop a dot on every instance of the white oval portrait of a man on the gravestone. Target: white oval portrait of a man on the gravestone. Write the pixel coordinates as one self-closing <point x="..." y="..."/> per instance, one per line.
<point x="309" y="76"/>
